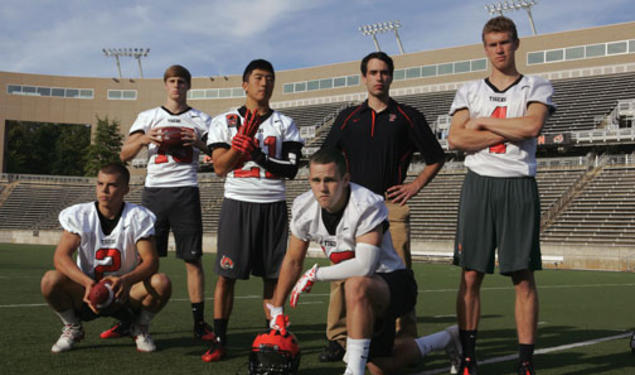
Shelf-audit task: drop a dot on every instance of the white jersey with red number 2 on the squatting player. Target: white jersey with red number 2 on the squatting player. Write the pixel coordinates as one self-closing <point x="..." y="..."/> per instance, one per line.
<point x="114" y="254"/>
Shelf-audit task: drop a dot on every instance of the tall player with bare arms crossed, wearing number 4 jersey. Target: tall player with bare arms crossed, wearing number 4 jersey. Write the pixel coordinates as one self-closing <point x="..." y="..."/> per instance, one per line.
<point x="496" y="121"/>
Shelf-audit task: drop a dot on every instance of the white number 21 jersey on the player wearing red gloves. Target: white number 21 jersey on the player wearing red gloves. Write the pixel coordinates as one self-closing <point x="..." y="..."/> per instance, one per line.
<point x="249" y="182"/>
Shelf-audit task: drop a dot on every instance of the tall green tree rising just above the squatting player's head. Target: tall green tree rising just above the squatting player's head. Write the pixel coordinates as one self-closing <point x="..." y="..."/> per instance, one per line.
<point x="105" y="147"/>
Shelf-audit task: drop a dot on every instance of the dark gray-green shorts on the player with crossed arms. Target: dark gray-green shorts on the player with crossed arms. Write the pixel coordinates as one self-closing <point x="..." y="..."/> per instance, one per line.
<point x="498" y="213"/>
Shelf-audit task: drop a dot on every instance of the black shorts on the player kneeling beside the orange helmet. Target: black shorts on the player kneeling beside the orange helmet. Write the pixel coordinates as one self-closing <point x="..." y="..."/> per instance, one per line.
<point x="403" y="298"/>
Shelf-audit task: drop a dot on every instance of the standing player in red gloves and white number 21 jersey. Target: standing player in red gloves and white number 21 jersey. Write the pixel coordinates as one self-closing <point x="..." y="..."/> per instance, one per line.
<point x="254" y="148"/>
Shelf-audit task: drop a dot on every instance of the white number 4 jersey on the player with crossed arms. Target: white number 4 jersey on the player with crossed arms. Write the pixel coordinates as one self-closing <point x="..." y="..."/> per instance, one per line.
<point x="482" y="99"/>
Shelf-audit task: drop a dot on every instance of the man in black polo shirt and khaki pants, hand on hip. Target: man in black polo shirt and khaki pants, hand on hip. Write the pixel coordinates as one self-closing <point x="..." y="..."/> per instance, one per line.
<point x="378" y="138"/>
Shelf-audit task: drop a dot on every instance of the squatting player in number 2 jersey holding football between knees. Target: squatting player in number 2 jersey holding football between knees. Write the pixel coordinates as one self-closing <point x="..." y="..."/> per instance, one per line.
<point x="114" y="241"/>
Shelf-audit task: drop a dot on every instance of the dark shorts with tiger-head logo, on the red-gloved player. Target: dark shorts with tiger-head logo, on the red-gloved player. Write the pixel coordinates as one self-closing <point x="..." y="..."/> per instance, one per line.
<point x="252" y="238"/>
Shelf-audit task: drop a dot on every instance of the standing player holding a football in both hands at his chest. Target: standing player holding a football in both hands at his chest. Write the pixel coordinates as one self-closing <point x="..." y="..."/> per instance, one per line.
<point x="171" y="186"/>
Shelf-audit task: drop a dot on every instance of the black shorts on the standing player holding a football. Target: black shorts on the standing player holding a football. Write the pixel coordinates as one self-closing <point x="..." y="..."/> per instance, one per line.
<point x="178" y="208"/>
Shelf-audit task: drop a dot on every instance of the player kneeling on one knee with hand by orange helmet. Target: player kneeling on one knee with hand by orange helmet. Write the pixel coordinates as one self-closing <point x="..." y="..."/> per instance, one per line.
<point x="350" y="223"/>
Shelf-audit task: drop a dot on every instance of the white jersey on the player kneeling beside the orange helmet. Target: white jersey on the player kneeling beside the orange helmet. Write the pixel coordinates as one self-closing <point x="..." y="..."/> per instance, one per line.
<point x="364" y="212"/>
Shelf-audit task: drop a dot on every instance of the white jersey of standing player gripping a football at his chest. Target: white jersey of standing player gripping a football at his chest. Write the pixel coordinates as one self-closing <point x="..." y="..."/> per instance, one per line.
<point x="175" y="166"/>
